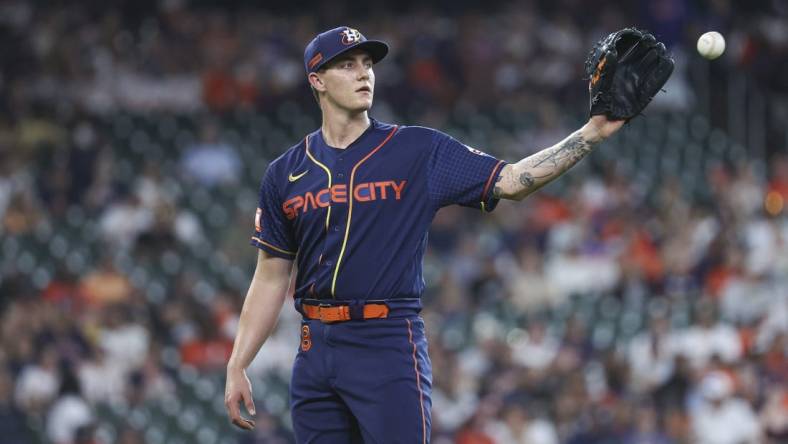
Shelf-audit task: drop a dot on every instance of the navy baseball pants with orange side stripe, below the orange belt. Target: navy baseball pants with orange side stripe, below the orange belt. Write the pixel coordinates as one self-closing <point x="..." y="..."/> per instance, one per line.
<point x="362" y="381"/>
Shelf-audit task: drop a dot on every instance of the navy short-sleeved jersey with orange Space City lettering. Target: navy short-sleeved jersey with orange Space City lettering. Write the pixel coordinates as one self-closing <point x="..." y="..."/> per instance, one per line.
<point x="356" y="219"/>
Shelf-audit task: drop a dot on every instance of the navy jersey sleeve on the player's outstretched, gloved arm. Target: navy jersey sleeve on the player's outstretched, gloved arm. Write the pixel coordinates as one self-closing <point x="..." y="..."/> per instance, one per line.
<point x="459" y="174"/>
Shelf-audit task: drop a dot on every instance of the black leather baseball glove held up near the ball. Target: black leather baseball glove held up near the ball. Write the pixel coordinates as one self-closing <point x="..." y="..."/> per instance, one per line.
<point x="625" y="70"/>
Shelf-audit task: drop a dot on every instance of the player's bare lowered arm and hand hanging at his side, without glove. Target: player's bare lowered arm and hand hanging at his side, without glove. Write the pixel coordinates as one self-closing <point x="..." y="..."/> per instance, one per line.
<point x="260" y="311"/>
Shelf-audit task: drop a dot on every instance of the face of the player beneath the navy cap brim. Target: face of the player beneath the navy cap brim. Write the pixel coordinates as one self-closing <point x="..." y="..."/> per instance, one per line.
<point x="350" y="82"/>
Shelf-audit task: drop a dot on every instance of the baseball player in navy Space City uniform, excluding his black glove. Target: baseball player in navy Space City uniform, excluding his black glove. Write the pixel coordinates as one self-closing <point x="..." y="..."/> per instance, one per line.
<point x="351" y="204"/>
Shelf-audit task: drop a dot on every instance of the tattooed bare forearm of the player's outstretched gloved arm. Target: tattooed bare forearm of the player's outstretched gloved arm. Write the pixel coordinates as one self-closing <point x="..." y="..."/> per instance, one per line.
<point x="523" y="178"/>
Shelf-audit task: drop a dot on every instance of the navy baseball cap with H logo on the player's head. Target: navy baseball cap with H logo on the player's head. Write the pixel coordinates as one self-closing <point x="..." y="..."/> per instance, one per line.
<point x="334" y="42"/>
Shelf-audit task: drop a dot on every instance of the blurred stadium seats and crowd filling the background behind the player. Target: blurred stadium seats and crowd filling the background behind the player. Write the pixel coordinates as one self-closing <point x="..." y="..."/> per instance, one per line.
<point x="642" y="298"/>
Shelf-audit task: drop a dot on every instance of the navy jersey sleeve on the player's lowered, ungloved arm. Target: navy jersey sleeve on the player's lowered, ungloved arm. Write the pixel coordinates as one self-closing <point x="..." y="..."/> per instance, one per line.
<point x="273" y="233"/>
